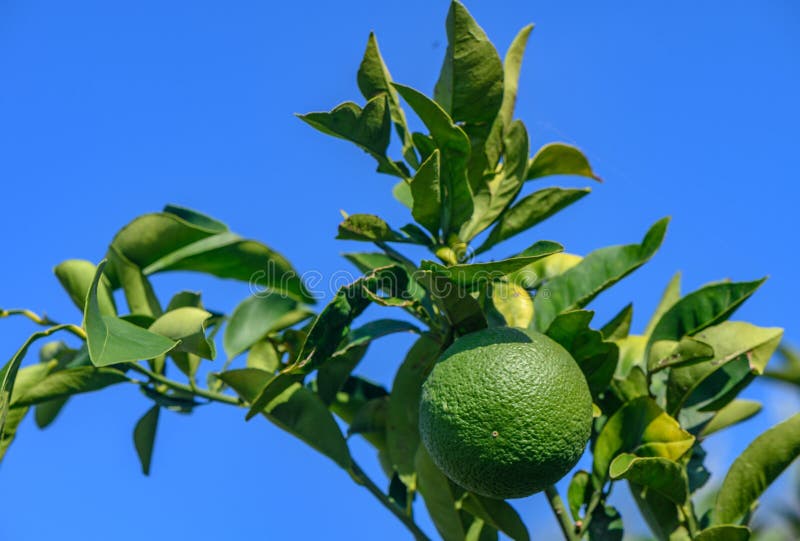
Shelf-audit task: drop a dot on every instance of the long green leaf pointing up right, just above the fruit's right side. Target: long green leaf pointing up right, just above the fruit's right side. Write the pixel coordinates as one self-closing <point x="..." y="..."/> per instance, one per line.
<point x="598" y="271"/>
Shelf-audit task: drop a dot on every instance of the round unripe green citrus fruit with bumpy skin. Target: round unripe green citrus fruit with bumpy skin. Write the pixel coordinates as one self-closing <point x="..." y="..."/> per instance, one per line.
<point x="505" y="413"/>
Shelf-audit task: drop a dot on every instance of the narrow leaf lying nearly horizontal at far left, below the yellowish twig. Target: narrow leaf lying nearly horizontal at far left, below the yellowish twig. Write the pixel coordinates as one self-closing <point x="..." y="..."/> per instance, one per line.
<point x="67" y="382"/>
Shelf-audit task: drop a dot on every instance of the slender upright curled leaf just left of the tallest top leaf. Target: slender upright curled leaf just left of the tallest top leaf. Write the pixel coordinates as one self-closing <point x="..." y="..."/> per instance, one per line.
<point x="374" y="79"/>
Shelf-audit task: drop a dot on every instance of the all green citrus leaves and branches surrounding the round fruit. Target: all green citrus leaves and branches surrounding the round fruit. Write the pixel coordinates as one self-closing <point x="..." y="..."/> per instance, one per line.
<point x="470" y="181"/>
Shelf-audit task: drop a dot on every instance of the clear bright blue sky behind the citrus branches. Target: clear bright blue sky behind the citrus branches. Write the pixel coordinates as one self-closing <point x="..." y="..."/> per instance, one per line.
<point x="111" y="109"/>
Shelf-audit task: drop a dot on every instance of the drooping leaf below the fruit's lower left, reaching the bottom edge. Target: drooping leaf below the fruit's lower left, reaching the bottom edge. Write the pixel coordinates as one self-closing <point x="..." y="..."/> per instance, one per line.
<point x="440" y="500"/>
